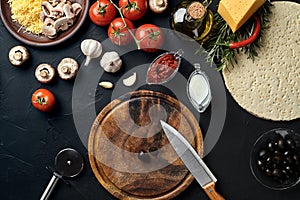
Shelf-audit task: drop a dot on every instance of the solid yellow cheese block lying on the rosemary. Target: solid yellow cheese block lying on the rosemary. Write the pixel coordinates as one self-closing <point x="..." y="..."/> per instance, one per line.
<point x="237" y="12"/>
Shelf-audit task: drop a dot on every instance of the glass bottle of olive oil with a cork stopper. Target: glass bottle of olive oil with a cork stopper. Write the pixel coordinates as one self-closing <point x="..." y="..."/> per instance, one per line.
<point x="192" y="20"/>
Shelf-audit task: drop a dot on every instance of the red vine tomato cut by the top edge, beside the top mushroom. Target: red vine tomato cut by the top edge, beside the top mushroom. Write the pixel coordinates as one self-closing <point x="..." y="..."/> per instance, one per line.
<point x="133" y="9"/>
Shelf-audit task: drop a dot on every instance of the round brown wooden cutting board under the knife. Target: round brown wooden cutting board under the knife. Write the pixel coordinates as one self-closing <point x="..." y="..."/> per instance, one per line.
<point x="129" y="153"/>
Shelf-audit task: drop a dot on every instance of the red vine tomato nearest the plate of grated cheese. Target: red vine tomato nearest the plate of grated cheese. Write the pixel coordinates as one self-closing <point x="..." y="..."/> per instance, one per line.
<point x="102" y="12"/>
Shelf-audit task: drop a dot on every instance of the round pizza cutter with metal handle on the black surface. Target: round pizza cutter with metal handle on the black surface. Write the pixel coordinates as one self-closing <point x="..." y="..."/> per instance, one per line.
<point x="68" y="163"/>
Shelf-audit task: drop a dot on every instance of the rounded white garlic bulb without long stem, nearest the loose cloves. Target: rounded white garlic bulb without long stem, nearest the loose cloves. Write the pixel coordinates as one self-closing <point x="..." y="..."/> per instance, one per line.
<point x="111" y="62"/>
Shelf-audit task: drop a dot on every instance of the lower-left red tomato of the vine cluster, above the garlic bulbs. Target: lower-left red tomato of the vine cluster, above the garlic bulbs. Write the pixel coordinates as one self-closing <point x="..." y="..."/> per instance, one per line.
<point x="118" y="33"/>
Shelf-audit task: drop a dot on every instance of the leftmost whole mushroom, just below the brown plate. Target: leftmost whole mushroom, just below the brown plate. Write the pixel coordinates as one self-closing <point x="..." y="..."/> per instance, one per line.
<point x="18" y="55"/>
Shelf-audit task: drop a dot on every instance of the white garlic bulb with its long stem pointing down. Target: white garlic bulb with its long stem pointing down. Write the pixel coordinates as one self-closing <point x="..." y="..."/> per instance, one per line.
<point x="91" y="49"/>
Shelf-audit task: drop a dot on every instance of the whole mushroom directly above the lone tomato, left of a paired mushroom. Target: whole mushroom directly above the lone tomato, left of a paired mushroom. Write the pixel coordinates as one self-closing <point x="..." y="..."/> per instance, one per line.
<point x="44" y="73"/>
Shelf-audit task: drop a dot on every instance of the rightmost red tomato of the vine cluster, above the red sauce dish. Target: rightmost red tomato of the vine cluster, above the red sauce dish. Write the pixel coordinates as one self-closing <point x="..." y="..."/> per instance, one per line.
<point x="150" y="36"/>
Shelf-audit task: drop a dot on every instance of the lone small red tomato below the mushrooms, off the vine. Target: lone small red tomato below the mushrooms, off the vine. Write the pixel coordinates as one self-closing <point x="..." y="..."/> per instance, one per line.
<point x="43" y="100"/>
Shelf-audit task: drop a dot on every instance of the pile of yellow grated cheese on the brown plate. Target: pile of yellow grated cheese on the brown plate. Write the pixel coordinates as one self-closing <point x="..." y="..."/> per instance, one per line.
<point x="27" y="14"/>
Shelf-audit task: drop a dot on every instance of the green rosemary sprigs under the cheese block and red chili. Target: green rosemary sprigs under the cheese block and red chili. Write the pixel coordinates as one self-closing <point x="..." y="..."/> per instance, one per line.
<point x="221" y="34"/>
